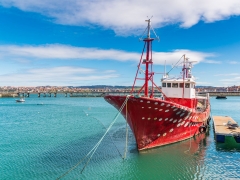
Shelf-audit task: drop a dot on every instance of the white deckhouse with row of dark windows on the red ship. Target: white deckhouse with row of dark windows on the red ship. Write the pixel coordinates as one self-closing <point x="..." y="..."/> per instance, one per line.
<point x="177" y="88"/>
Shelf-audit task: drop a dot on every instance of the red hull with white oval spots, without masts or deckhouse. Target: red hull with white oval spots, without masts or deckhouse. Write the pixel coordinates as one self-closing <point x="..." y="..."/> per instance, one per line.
<point x="156" y="122"/>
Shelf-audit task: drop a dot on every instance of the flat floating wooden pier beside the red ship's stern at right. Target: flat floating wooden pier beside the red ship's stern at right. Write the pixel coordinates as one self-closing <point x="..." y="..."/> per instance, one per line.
<point x="225" y="126"/>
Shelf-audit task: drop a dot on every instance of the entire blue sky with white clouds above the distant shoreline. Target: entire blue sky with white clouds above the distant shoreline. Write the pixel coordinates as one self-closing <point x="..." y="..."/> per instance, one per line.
<point x="96" y="42"/>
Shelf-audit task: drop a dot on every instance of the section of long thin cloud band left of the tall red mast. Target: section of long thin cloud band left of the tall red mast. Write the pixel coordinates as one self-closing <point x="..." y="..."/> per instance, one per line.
<point x="57" y="51"/>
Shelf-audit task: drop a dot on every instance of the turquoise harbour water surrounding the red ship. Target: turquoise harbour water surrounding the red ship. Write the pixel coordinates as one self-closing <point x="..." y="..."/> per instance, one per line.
<point x="43" y="138"/>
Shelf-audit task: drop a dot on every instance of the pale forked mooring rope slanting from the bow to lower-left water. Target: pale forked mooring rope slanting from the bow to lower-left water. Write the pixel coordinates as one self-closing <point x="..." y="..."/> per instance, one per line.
<point x="98" y="143"/>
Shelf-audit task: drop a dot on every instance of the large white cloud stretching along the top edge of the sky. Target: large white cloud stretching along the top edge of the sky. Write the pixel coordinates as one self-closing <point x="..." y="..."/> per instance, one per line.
<point x="127" y="15"/>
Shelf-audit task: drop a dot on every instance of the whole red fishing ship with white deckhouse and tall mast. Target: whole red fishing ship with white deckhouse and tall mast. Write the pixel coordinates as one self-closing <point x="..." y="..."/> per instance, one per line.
<point x="177" y="115"/>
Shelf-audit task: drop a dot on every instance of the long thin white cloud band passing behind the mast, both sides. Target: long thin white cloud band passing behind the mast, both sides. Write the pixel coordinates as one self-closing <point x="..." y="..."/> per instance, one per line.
<point x="63" y="52"/>
